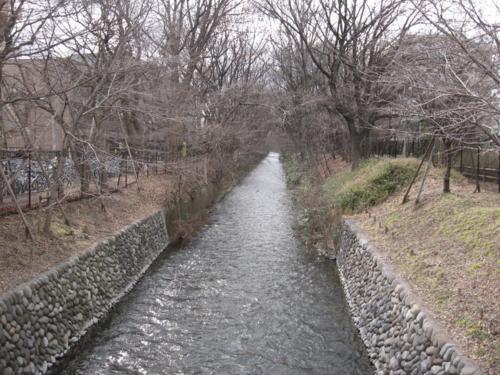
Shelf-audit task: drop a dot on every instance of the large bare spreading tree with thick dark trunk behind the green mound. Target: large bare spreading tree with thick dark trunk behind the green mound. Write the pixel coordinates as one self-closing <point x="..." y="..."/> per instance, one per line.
<point x="352" y="45"/>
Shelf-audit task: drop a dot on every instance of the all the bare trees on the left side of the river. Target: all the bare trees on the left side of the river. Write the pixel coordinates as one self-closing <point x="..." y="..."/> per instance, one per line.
<point x="76" y="74"/>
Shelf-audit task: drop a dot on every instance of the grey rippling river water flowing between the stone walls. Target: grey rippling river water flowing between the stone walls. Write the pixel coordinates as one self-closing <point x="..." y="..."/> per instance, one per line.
<point x="245" y="297"/>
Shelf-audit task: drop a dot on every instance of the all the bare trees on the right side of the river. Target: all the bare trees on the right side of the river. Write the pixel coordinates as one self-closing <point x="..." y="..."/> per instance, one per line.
<point x="349" y="71"/>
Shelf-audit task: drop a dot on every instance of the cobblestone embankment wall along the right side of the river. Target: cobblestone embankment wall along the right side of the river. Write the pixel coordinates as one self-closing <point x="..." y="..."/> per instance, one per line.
<point x="399" y="336"/>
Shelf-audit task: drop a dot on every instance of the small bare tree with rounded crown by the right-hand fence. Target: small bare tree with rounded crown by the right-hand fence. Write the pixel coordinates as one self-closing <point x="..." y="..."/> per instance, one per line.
<point x="438" y="80"/>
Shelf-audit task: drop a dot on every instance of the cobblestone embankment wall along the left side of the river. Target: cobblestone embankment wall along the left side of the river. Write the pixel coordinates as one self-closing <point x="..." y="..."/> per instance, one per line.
<point x="40" y="321"/>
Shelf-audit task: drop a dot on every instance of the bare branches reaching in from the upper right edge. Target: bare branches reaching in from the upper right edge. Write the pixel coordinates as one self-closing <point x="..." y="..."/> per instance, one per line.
<point x="473" y="31"/>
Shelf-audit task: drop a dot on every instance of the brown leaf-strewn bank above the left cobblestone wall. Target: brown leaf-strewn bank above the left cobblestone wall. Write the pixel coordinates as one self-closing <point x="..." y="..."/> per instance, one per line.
<point x="22" y="259"/>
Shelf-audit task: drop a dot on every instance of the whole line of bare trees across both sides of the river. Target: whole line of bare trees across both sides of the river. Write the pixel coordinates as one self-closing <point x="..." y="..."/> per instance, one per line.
<point x="332" y="75"/>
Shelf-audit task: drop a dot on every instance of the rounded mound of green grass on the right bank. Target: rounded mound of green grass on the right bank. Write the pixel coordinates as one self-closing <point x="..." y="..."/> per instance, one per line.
<point x="373" y="182"/>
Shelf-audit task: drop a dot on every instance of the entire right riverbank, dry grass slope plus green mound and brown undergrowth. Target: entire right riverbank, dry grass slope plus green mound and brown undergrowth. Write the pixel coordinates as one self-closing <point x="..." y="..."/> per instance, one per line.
<point x="447" y="246"/>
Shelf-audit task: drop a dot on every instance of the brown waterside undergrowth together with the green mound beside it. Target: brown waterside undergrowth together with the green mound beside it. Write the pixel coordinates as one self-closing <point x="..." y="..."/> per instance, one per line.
<point x="346" y="192"/>
